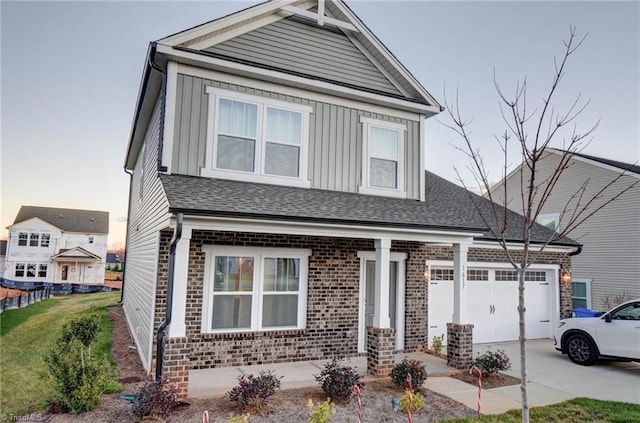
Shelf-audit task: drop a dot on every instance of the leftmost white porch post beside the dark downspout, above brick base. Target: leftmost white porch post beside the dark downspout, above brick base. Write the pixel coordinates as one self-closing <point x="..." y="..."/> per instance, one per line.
<point x="177" y="328"/>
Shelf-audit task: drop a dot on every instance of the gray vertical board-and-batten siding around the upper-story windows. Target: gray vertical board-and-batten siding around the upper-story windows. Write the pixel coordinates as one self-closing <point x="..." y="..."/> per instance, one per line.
<point x="335" y="137"/>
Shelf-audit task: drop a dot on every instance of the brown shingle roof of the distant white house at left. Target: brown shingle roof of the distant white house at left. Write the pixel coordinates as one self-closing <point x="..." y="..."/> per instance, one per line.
<point x="69" y="220"/>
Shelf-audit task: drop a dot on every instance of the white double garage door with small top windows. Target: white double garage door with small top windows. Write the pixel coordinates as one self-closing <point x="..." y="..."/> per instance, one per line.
<point x="492" y="303"/>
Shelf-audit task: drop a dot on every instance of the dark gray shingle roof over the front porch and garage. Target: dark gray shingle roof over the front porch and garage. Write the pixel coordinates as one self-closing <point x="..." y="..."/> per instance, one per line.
<point x="447" y="206"/>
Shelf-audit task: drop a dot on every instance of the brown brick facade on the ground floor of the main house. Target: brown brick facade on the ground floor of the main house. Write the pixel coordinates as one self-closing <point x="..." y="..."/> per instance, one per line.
<point x="332" y="301"/>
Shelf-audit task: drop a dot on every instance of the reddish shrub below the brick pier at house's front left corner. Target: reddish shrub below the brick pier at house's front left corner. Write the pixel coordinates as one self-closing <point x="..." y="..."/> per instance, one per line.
<point x="156" y="398"/>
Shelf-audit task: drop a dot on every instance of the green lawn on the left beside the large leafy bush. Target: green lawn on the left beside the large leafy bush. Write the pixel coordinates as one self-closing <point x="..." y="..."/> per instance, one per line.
<point x="29" y="333"/>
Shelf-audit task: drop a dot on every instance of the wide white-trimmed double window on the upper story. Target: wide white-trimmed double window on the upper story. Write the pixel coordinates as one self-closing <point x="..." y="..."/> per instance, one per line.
<point x="256" y="139"/>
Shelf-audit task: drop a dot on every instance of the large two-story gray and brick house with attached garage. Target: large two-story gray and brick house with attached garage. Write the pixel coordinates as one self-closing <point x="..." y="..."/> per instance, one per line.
<point x="280" y="208"/>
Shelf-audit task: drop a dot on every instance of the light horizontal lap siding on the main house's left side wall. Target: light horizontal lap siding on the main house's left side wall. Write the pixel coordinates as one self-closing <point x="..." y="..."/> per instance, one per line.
<point x="147" y="216"/>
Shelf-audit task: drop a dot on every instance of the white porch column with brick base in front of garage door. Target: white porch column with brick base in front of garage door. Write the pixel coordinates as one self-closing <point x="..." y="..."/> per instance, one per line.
<point x="460" y="332"/>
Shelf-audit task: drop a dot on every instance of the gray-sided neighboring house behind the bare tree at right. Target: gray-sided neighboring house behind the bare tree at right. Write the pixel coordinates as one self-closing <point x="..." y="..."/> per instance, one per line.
<point x="607" y="271"/>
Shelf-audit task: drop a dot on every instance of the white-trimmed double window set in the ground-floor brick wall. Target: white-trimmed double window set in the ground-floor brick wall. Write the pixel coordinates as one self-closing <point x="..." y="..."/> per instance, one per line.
<point x="254" y="289"/>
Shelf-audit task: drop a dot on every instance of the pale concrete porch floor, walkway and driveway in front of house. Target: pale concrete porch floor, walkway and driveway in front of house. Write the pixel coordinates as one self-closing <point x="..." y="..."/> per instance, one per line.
<point x="552" y="378"/>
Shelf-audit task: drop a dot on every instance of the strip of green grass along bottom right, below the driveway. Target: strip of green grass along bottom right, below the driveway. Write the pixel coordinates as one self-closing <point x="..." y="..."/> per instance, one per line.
<point x="577" y="410"/>
